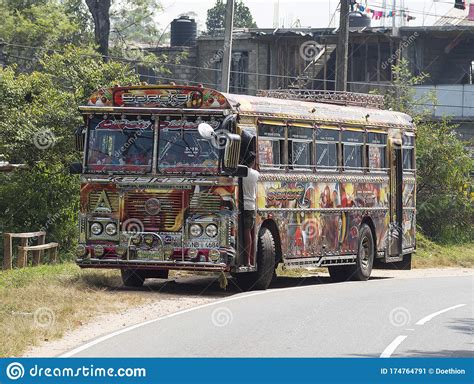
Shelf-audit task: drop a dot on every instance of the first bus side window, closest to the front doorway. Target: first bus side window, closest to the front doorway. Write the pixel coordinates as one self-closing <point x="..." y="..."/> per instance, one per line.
<point x="271" y="141"/>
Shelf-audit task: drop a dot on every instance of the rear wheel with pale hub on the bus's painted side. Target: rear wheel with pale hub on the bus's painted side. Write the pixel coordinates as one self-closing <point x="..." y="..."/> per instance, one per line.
<point x="365" y="255"/>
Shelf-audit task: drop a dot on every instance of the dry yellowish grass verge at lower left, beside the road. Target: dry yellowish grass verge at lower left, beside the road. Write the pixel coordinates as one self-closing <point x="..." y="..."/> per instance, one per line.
<point x="42" y="303"/>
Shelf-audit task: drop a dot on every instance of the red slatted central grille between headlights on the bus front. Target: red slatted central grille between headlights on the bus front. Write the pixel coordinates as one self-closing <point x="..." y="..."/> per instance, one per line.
<point x="170" y="217"/>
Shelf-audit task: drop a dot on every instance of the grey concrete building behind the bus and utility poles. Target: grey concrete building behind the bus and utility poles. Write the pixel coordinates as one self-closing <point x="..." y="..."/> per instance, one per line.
<point x="306" y="58"/>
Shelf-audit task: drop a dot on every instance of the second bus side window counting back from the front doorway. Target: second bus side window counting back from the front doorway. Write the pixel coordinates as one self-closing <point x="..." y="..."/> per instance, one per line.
<point x="300" y="147"/>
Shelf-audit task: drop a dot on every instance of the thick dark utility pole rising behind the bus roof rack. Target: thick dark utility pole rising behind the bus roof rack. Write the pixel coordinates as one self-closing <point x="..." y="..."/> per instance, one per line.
<point x="342" y="50"/>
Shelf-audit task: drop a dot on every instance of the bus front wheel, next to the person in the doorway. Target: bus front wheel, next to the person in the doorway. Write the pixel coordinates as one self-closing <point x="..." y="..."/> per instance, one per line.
<point x="261" y="279"/>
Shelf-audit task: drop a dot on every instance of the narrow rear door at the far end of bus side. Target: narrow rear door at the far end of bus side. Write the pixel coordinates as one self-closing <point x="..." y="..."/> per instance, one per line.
<point x="395" y="230"/>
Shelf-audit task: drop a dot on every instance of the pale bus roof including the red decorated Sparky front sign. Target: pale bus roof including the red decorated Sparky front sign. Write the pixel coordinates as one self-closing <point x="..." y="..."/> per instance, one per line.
<point x="148" y="99"/>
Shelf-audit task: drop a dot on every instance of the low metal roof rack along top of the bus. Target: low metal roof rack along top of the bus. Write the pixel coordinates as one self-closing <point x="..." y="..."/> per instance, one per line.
<point x="330" y="97"/>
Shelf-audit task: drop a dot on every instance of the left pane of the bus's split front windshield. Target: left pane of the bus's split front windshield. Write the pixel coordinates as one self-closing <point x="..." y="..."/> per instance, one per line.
<point x="120" y="145"/>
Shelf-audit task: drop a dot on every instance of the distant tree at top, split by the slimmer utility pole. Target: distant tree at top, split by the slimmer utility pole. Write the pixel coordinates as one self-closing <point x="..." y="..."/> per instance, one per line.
<point x="216" y="16"/>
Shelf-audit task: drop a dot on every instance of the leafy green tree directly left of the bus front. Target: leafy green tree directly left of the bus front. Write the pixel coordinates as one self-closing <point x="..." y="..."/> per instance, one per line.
<point x="38" y="115"/>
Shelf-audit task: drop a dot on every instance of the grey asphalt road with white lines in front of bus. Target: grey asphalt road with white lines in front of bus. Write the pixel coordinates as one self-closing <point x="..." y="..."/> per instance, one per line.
<point x="419" y="317"/>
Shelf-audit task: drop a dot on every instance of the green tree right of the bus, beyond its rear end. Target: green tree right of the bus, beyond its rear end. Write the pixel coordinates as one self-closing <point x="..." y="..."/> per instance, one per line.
<point x="444" y="206"/>
